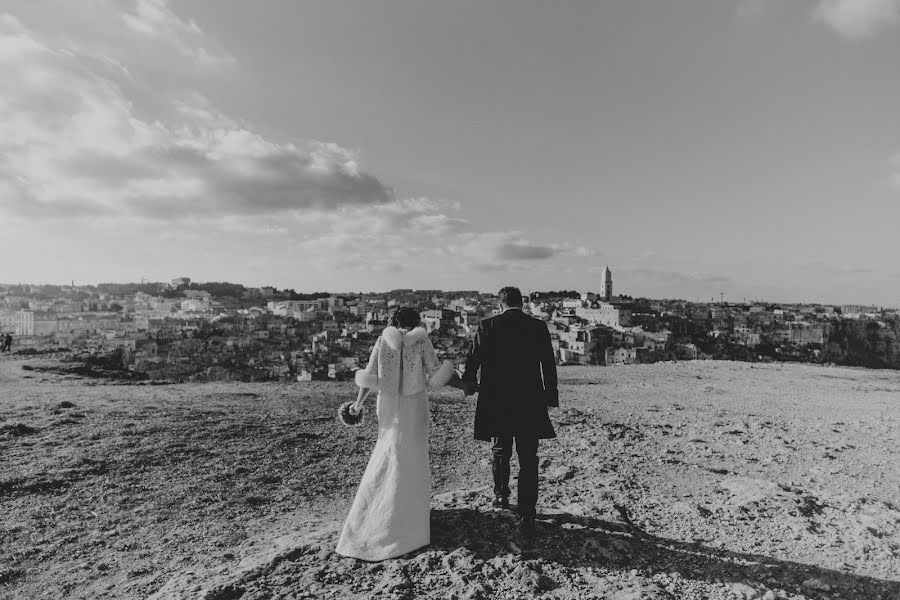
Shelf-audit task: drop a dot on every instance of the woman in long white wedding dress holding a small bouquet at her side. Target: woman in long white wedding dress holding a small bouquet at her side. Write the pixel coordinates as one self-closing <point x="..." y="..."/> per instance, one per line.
<point x="390" y="513"/>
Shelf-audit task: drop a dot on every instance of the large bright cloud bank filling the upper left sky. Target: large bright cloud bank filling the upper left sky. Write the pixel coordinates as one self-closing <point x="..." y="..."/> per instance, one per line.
<point x="105" y="124"/>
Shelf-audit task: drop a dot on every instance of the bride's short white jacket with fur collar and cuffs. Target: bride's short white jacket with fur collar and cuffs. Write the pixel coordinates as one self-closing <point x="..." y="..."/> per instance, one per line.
<point x="404" y="363"/>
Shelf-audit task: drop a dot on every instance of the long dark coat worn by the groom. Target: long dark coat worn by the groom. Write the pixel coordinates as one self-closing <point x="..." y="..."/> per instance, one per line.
<point x="518" y="376"/>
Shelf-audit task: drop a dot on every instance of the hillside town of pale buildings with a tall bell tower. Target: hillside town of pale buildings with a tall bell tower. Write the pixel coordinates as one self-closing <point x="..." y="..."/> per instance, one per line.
<point x="183" y="330"/>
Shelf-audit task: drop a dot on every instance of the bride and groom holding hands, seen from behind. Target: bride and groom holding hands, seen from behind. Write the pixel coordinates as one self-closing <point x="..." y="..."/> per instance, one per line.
<point x="390" y="515"/>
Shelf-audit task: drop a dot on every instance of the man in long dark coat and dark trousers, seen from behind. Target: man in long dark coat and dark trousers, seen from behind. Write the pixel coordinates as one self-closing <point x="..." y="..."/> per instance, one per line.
<point x="518" y="383"/>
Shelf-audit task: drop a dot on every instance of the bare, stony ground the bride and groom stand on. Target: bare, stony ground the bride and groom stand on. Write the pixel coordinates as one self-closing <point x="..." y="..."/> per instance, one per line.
<point x="675" y="480"/>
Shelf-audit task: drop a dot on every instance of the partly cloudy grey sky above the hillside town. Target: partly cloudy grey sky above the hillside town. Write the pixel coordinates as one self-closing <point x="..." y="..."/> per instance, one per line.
<point x="745" y="149"/>
